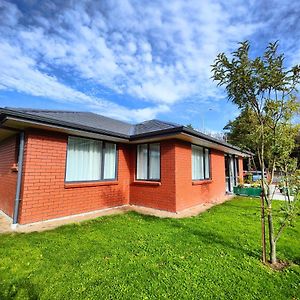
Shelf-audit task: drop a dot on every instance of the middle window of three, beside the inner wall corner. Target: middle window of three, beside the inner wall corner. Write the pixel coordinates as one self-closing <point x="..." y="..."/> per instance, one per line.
<point x="148" y="162"/>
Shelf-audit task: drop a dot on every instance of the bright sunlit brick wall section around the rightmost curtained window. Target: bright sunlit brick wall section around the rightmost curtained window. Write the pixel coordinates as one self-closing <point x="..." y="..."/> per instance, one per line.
<point x="189" y="194"/>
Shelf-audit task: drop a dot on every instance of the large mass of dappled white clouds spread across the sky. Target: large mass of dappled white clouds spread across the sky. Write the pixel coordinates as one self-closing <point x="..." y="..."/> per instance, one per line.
<point x="158" y="52"/>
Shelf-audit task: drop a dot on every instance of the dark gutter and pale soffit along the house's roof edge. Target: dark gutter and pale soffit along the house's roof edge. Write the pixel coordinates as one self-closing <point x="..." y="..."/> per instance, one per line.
<point x="12" y="122"/>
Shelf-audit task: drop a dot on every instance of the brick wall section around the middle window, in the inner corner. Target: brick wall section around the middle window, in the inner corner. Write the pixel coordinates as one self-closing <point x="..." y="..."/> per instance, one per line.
<point x="162" y="196"/>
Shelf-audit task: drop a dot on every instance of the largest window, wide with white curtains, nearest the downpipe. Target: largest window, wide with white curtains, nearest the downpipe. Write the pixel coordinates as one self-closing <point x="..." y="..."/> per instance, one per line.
<point x="90" y="160"/>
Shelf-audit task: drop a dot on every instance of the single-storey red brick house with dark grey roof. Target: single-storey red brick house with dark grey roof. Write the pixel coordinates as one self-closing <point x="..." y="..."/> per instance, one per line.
<point x="56" y="163"/>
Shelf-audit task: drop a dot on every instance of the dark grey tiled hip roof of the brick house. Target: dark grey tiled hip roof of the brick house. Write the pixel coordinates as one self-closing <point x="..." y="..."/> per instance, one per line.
<point x="95" y="123"/>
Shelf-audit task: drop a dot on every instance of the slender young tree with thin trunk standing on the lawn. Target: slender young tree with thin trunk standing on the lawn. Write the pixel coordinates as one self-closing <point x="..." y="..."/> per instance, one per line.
<point x="264" y="87"/>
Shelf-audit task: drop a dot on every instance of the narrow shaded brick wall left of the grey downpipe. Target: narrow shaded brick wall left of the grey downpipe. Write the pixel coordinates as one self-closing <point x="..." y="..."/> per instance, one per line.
<point x="8" y="178"/>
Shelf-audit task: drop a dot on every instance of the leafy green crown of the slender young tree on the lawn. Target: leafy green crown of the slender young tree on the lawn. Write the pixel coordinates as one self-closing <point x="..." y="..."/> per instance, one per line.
<point x="265" y="92"/>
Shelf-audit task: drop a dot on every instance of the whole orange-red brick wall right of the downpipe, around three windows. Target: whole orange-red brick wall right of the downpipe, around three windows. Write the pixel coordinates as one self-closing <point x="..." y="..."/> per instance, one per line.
<point x="46" y="196"/>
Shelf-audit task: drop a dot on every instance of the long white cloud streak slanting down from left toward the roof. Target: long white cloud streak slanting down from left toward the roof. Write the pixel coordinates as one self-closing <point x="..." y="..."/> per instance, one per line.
<point x="36" y="83"/>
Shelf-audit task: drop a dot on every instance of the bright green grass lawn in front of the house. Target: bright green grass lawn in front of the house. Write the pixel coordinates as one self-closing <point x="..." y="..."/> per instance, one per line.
<point x="215" y="255"/>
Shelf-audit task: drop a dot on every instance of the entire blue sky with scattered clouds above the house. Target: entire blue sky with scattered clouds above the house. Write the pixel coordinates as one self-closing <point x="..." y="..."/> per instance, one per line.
<point x="134" y="60"/>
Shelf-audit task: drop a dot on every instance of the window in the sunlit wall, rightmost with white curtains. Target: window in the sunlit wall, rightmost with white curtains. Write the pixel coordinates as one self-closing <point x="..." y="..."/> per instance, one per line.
<point x="200" y="163"/>
